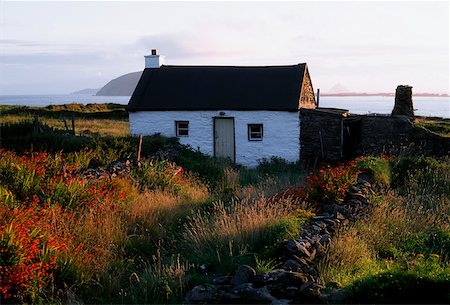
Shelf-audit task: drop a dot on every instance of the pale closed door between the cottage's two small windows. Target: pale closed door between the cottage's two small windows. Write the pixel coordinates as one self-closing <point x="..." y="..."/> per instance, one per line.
<point x="224" y="138"/>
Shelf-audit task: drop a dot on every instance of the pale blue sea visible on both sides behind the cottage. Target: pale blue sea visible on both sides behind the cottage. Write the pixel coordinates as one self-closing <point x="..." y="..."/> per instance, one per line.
<point x="424" y="106"/>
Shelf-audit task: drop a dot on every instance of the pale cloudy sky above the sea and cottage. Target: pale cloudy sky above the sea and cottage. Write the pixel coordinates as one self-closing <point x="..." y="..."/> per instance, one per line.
<point x="60" y="47"/>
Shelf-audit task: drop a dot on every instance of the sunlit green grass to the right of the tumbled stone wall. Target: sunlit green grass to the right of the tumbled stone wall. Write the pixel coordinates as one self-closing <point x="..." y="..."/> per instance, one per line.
<point x="400" y="254"/>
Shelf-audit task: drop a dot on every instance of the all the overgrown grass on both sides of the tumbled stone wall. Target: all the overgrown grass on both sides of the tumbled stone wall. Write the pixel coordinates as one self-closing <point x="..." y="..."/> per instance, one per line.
<point x="151" y="236"/>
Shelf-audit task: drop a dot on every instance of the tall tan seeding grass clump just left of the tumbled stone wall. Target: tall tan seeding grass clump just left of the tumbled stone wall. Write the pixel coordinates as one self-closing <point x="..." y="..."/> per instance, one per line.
<point x="223" y="235"/>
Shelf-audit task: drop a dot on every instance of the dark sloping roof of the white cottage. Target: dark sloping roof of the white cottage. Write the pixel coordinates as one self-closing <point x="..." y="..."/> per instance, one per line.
<point x="218" y="88"/>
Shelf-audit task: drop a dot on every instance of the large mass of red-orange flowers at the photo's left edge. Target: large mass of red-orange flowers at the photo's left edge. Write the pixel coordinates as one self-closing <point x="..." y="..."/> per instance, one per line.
<point x="47" y="194"/>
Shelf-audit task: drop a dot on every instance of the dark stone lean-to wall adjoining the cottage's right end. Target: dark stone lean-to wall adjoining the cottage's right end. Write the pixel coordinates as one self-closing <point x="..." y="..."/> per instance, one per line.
<point x="321" y="133"/>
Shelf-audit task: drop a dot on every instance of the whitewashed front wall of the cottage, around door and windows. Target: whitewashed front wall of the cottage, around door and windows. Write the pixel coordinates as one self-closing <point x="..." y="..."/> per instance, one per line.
<point x="281" y="131"/>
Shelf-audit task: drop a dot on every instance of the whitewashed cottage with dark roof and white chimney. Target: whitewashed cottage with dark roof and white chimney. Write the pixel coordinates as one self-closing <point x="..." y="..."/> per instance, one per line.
<point x="237" y="112"/>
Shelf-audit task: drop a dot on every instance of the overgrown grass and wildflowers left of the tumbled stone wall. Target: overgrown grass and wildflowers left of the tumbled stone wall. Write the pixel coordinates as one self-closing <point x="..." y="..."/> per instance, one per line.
<point x="134" y="239"/>
